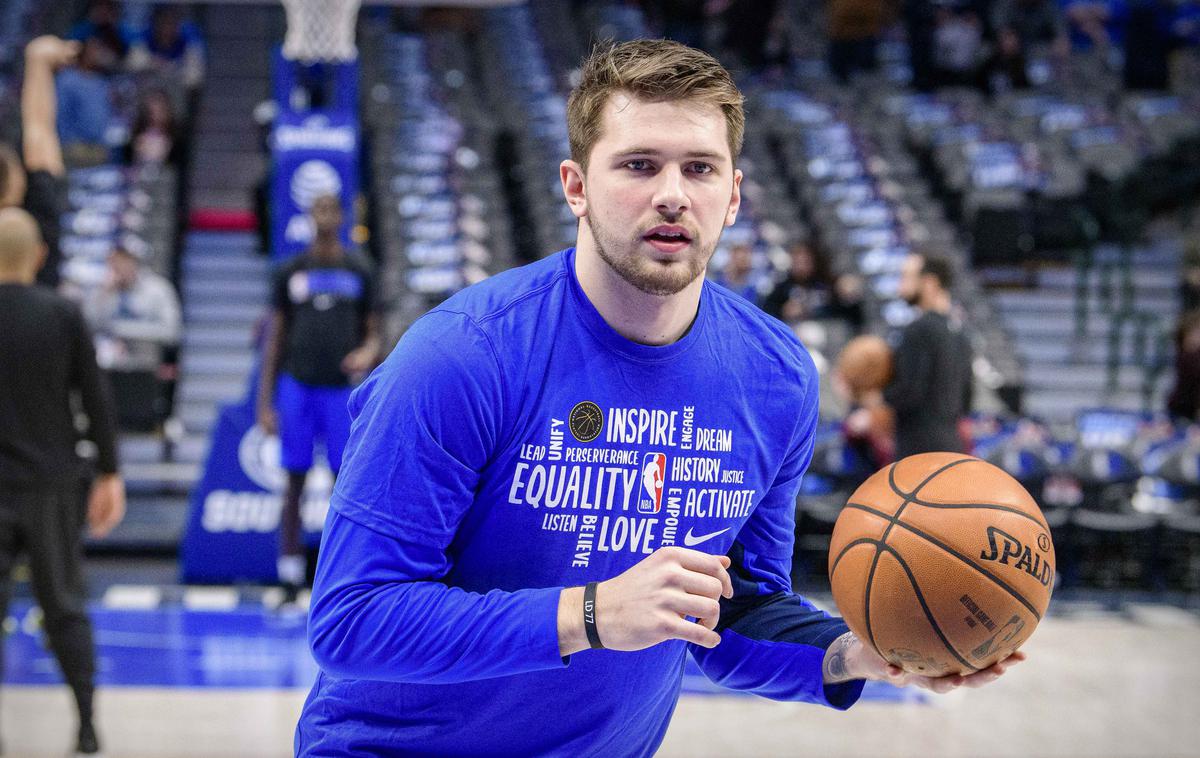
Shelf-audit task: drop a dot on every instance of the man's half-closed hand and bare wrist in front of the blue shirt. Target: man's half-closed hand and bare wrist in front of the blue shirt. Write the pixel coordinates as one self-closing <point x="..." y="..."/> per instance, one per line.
<point x="649" y="604"/>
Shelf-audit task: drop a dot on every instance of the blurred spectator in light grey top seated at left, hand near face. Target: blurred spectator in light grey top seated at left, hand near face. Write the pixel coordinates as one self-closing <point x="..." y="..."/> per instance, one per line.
<point x="135" y="315"/>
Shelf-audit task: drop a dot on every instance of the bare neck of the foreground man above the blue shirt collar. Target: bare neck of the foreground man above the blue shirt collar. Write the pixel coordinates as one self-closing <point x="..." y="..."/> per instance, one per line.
<point x="634" y="315"/>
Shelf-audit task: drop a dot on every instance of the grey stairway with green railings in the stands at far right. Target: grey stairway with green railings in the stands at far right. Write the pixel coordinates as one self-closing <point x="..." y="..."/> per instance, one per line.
<point x="1065" y="371"/>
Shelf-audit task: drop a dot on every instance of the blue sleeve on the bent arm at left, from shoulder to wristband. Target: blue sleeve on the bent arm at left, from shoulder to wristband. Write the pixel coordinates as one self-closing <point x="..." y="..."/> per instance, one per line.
<point x="424" y="426"/>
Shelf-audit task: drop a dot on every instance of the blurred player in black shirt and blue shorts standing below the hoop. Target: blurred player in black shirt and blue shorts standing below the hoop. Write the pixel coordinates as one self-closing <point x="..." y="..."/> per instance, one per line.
<point x="323" y="336"/>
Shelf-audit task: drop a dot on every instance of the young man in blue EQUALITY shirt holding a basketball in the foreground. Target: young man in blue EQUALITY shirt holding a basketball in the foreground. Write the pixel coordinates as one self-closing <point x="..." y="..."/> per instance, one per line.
<point x="568" y="478"/>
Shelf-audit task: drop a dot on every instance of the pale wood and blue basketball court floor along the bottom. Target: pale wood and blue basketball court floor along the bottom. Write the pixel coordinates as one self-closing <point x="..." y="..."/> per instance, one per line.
<point x="220" y="672"/>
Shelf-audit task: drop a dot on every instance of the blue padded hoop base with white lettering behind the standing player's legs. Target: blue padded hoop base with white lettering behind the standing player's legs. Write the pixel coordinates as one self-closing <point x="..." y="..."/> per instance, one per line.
<point x="235" y="513"/>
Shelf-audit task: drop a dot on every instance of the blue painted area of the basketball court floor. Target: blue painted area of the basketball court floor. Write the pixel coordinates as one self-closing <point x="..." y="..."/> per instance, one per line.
<point x="248" y="647"/>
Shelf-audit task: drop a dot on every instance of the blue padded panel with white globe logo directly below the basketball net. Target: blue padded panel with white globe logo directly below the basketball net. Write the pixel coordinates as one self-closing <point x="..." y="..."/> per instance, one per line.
<point x="314" y="154"/>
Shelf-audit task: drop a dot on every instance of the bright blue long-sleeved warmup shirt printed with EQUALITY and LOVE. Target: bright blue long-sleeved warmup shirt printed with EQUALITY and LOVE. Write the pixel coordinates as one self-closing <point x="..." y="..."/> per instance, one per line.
<point x="514" y="444"/>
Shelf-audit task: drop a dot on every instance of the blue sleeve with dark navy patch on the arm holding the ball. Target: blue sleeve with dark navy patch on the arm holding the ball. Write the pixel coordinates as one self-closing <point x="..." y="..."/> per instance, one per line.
<point x="773" y="642"/>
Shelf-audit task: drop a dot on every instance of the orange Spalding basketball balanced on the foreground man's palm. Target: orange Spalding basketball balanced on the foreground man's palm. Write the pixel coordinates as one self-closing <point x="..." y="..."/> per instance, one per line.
<point x="943" y="563"/>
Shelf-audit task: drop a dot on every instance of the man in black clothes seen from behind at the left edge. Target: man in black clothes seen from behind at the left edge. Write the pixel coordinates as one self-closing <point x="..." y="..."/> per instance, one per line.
<point x="46" y="357"/>
